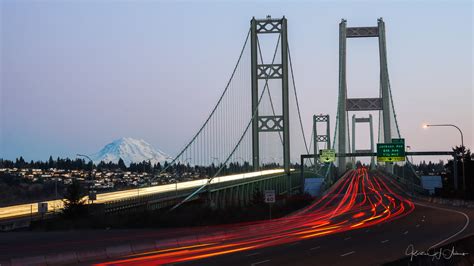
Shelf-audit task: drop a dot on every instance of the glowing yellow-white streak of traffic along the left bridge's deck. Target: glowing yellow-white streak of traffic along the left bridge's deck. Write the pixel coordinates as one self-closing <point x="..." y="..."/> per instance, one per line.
<point x="10" y="212"/>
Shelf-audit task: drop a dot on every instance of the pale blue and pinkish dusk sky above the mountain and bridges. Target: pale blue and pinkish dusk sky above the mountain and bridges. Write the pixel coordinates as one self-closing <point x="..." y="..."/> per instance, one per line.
<point x="78" y="75"/>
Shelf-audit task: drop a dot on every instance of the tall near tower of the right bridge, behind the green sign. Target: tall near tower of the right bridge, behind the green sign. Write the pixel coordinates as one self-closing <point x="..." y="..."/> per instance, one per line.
<point x="345" y="104"/>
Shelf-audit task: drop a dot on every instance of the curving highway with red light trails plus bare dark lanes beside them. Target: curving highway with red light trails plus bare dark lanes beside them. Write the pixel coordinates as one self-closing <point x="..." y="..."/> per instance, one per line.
<point x="365" y="220"/>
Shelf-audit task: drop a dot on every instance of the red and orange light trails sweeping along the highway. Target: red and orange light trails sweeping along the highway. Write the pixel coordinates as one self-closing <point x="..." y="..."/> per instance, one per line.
<point x="359" y="200"/>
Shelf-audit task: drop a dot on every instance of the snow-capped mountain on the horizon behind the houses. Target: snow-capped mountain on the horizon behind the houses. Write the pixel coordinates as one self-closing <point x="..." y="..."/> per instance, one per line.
<point x="130" y="150"/>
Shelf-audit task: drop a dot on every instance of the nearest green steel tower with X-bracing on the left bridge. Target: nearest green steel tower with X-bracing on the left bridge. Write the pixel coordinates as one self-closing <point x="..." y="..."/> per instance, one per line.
<point x="274" y="123"/>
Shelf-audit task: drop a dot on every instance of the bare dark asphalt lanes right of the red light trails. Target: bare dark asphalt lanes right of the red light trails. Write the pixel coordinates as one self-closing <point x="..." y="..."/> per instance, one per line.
<point x="375" y="245"/>
